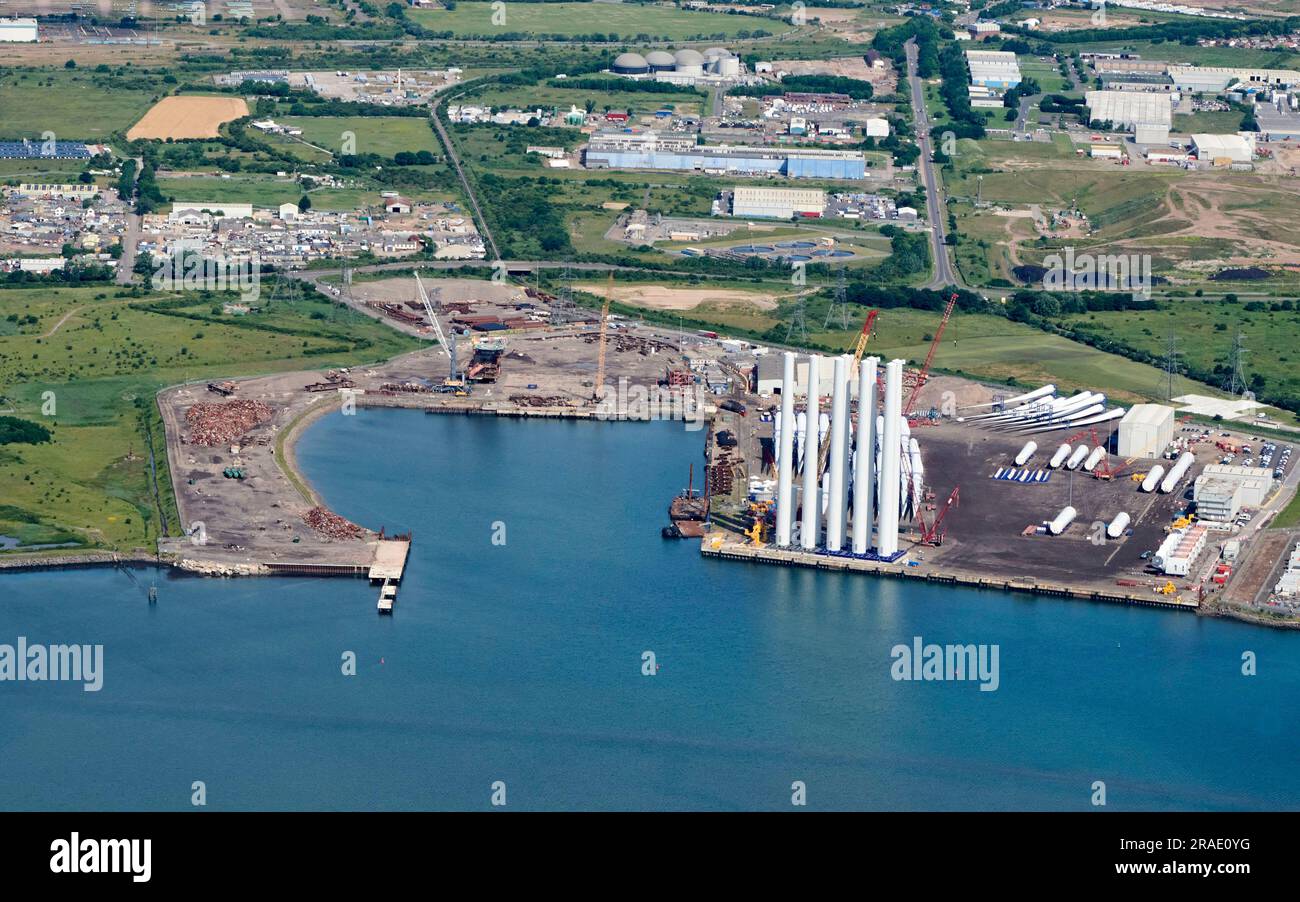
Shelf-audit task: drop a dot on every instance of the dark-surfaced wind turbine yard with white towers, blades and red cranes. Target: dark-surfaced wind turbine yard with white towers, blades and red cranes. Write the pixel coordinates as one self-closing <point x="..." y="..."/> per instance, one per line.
<point x="1041" y="492"/>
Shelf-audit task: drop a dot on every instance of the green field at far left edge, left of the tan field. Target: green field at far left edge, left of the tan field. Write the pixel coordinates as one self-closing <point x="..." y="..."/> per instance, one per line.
<point x="73" y="105"/>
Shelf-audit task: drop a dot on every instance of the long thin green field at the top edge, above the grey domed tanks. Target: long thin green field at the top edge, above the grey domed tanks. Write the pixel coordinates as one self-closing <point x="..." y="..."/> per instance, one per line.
<point x="627" y="20"/>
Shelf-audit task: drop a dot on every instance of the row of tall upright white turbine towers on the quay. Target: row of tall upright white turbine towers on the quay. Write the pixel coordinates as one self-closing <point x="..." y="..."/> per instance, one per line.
<point x="873" y="463"/>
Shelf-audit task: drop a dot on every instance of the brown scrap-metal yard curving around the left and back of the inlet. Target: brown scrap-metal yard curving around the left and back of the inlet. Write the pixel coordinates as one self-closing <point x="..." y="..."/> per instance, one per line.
<point x="231" y="444"/>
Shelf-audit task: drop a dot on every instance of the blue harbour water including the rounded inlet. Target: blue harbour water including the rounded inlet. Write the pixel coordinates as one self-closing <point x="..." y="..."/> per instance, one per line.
<point x="522" y="662"/>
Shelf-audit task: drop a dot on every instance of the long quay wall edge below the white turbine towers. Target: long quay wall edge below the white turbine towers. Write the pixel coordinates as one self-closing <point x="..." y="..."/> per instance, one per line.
<point x="716" y="545"/>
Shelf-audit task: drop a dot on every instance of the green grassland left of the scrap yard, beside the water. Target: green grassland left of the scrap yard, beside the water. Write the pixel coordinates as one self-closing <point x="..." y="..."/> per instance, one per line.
<point x="103" y="366"/>
